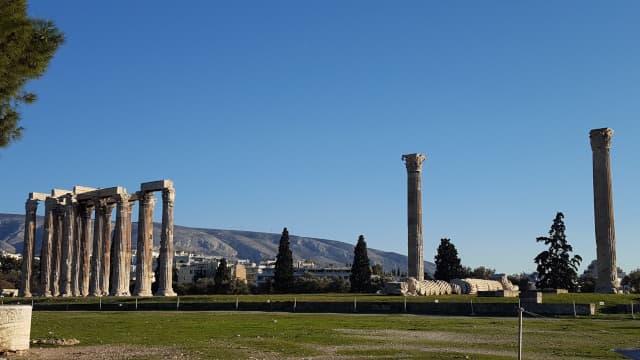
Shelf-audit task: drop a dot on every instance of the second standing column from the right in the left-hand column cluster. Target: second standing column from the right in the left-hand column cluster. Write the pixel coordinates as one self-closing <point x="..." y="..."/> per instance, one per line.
<point x="144" y="259"/>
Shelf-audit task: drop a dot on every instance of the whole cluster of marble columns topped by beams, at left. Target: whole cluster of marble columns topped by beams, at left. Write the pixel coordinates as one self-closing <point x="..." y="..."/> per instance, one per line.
<point x="79" y="257"/>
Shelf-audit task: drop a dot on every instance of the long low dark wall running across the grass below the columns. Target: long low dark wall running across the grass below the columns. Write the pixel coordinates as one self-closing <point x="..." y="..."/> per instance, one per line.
<point x="365" y="307"/>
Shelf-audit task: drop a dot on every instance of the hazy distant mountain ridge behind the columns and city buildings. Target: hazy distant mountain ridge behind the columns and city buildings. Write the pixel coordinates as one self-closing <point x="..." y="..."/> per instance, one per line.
<point x="231" y="244"/>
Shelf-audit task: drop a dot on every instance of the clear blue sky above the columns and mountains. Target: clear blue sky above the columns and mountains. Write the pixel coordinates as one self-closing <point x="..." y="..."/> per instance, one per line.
<point x="274" y="114"/>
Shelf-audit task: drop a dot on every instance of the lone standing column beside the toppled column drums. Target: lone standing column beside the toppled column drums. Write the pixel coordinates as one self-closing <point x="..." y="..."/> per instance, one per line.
<point x="413" y="162"/>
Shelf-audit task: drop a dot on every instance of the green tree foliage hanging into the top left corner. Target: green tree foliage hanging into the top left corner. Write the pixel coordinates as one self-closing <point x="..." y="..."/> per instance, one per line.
<point x="27" y="46"/>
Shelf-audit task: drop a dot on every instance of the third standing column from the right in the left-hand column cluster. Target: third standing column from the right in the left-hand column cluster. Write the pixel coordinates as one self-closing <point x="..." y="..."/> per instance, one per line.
<point x="121" y="254"/>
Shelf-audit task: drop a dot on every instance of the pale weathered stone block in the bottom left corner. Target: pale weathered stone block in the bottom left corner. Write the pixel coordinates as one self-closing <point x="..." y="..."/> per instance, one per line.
<point x="15" y="327"/>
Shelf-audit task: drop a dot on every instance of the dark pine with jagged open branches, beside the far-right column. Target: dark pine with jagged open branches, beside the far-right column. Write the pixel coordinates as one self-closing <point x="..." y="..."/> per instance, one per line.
<point x="556" y="269"/>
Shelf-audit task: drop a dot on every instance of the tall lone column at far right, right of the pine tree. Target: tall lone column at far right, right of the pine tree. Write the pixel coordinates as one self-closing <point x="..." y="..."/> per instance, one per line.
<point x="607" y="281"/>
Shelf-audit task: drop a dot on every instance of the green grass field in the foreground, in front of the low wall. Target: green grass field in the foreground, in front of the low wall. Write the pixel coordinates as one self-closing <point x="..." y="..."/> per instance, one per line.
<point x="246" y="335"/>
